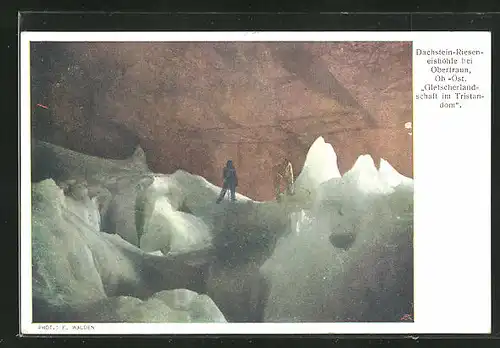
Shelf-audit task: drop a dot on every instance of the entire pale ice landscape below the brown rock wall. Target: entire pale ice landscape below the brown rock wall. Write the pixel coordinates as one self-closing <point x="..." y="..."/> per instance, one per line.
<point x="340" y="249"/>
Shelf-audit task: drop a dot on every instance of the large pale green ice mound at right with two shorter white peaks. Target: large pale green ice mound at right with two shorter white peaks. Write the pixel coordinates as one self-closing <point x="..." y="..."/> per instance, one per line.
<point x="368" y="276"/>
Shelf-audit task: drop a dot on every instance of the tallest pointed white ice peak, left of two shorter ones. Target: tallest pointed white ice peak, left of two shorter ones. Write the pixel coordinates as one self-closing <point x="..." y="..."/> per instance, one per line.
<point x="320" y="165"/>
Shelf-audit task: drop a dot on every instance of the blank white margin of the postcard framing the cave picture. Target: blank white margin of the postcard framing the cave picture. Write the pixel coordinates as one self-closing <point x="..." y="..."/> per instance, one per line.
<point x="439" y="231"/>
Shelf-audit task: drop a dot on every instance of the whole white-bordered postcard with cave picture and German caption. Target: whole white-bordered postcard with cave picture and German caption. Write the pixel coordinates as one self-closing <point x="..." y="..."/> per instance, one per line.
<point x="255" y="182"/>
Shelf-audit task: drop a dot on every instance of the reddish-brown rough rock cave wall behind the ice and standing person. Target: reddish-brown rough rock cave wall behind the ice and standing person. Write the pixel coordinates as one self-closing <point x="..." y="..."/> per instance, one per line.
<point x="192" y="106"/>
